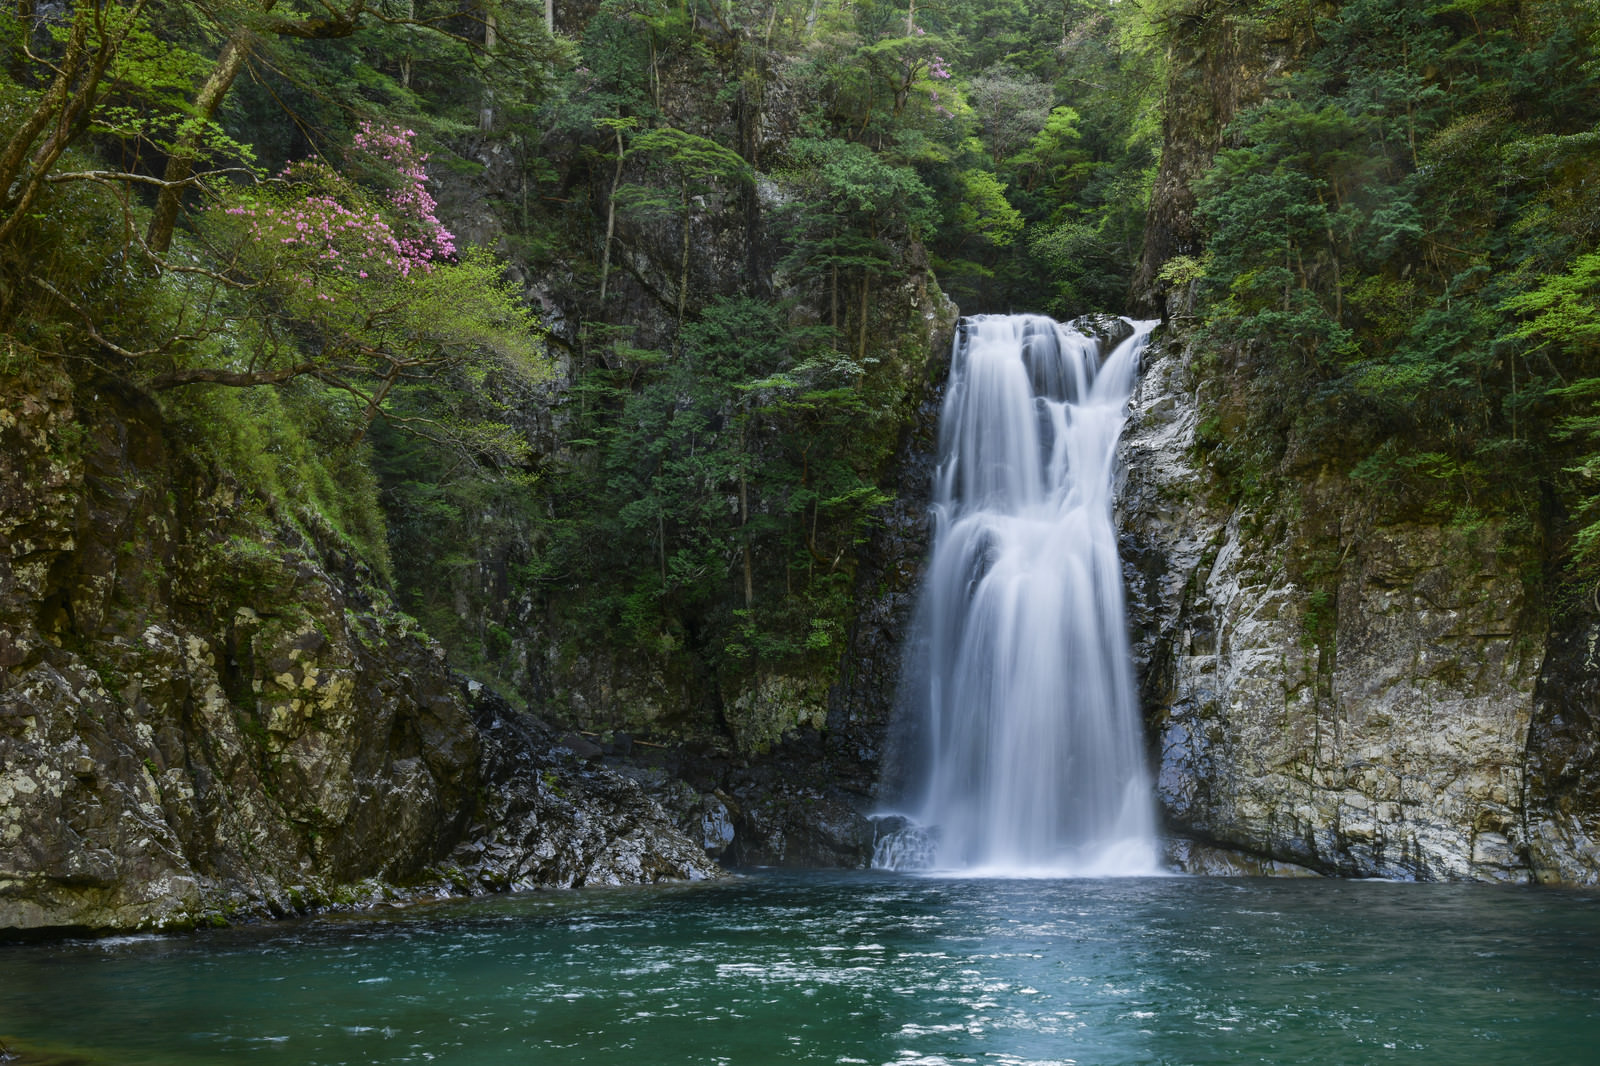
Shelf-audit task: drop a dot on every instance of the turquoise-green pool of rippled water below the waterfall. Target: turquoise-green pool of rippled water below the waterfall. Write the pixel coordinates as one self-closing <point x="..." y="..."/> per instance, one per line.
<point x="849" y="969"/>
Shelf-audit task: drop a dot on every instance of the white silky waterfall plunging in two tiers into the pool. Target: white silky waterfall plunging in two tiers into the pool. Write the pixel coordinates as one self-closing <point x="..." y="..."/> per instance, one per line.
<point x="1023" y="750"/>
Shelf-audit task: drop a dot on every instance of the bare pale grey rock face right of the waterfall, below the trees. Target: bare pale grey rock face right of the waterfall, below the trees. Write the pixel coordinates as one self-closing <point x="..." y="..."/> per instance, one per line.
<point x="1350" y="695"/>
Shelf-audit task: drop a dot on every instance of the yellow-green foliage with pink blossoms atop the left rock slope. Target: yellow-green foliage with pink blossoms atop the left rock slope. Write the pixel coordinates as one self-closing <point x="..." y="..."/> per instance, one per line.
<point x="278" y="287"/>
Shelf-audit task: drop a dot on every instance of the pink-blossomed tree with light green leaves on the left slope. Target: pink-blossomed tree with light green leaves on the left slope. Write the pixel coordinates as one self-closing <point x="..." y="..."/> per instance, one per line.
<point x="350" y="279"/>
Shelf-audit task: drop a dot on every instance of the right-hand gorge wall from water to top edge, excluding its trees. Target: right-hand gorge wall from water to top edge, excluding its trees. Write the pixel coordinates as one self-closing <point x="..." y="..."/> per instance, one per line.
<point x="1335" y="678"/>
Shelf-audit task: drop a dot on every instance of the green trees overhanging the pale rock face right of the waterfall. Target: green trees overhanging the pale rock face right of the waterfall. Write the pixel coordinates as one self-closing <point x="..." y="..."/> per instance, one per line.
<point x="1402" y="252"/>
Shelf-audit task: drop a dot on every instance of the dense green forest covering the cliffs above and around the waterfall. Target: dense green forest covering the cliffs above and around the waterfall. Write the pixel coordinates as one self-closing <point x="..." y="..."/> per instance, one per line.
<point x="604" y="323"/>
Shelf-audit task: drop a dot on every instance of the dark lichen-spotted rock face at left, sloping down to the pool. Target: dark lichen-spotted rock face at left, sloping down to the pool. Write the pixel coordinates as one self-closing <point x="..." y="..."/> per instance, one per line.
<point x="207" y="713"/>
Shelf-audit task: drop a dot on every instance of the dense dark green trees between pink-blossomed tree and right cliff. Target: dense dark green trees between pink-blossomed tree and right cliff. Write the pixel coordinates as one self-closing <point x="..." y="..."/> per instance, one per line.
<point x="710" y="478"/>
